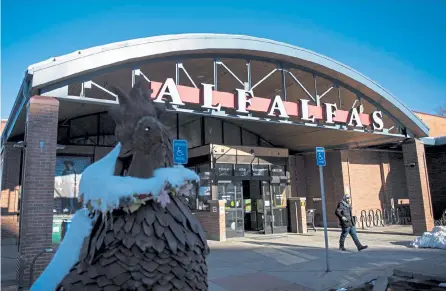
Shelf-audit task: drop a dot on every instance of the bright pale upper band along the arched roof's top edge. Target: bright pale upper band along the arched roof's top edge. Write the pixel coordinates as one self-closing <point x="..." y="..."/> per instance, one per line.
<point x="243" y="41"/>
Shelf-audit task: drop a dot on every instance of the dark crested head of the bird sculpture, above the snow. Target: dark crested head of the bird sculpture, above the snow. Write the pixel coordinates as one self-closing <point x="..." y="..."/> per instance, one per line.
<point x="145" y="143"/>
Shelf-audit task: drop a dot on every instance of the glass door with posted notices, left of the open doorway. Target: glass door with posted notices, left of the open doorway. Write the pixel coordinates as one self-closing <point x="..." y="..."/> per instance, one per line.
<point x="233" y="194"/>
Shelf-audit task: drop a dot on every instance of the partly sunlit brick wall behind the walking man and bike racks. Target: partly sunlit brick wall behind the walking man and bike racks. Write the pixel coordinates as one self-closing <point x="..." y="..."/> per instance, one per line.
<point x="371" y="178"/>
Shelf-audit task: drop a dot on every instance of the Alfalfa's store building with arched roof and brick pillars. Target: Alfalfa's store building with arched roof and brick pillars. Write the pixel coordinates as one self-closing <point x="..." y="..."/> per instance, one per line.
<point x="252" y="111"/>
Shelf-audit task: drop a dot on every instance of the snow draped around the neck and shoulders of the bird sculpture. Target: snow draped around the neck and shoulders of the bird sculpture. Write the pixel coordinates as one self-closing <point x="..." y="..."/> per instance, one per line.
<point x="100" y="189"/>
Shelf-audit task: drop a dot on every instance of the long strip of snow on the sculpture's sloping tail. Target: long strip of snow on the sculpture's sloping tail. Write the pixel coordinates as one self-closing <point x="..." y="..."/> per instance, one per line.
<point x="67" y="254"/>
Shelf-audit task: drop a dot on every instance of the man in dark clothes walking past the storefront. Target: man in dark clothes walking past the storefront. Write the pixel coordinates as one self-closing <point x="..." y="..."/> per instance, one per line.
<point x="344" y="213"/>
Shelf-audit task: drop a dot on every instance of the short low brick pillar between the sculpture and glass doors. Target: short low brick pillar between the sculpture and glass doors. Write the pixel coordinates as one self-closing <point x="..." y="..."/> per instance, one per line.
<point x="214" y="220"/>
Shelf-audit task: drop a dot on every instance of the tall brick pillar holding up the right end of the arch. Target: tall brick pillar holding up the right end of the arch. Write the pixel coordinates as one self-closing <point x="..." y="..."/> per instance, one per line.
<point x="417" y="180"/>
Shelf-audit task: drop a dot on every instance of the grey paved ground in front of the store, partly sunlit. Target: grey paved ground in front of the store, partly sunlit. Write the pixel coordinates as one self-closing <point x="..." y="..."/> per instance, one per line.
<point x="297" y="262"/>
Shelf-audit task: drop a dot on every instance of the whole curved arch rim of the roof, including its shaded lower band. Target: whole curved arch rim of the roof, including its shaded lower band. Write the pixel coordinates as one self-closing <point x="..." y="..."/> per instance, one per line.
<point x="50" y="74"/>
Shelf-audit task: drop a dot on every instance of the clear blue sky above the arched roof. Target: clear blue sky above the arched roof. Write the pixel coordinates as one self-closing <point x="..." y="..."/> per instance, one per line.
<point x="400" y="44"/>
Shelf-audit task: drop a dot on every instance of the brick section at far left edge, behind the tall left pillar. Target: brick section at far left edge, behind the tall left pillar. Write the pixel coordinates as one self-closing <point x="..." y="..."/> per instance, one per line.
<point x="11" y="159"/>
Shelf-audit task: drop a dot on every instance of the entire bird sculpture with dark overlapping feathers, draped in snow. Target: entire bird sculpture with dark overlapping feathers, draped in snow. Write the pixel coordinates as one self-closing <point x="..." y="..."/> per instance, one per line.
<point x="143" y="234"/>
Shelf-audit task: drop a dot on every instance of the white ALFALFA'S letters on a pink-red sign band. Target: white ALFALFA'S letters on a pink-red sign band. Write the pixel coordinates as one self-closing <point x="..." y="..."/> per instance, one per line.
<point x="244" y="102"/>
